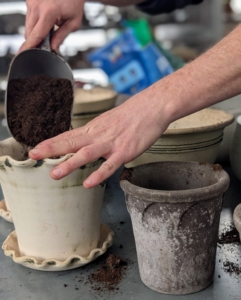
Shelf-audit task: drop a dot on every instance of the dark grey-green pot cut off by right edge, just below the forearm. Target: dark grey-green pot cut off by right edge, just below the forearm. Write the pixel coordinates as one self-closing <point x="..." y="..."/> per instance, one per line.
<point x="235" y="149"/>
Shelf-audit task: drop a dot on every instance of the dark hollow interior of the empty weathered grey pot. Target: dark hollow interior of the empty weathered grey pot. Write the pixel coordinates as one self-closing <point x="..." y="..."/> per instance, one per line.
<point x="173" y="176"/>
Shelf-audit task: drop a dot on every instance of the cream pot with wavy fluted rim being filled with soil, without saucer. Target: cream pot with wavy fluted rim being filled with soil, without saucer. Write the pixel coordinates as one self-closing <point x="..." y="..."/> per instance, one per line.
<point x="53" y="218"/>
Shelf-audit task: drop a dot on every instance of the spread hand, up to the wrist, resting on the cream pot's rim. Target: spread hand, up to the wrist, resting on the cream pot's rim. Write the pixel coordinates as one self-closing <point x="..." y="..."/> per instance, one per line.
<point x="119" y="136"/>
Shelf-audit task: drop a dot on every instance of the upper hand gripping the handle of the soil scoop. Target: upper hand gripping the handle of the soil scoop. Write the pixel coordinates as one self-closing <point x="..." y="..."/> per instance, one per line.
<point x="43" y="15"/>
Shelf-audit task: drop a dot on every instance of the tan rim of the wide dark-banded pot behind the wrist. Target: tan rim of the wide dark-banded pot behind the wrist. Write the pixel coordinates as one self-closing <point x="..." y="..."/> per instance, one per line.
<point x="225" y="119"/>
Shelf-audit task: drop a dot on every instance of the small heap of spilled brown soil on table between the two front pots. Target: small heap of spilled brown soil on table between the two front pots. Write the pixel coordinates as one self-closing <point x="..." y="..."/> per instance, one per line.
<point x="109" y="275"/>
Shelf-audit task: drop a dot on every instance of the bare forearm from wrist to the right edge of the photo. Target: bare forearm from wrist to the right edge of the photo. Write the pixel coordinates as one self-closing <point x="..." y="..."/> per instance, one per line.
<point x="211" y="78"/>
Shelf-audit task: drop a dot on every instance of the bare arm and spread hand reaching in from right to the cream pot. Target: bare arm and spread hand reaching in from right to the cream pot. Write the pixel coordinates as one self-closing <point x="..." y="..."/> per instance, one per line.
<point x="125" y="132"/>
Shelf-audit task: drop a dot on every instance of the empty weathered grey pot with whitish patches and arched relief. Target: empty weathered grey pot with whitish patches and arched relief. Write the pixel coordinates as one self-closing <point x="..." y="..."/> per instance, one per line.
<point x="175" y="211"/>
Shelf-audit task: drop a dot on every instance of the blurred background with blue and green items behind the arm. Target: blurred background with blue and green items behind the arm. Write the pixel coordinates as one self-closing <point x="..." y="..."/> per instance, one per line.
<point x="179" y="38"/>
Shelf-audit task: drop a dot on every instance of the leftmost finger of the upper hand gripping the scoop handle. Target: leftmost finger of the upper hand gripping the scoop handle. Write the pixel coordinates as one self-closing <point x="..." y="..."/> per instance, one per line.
<point x="39" y="32"/>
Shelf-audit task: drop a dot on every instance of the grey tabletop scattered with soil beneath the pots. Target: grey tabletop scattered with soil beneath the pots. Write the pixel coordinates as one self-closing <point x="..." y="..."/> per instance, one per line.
<point x="18" y="282"/>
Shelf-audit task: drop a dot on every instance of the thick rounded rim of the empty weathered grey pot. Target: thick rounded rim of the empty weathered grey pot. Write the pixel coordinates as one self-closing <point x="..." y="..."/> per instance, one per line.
<point x="177" y="196"/>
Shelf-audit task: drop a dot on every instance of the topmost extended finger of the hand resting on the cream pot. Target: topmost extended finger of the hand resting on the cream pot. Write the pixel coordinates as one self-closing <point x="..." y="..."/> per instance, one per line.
<point x="65" y="145"/>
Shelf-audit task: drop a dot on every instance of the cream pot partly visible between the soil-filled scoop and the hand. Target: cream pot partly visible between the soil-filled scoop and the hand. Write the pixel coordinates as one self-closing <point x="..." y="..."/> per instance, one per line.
<point x="90" y="103"/>
